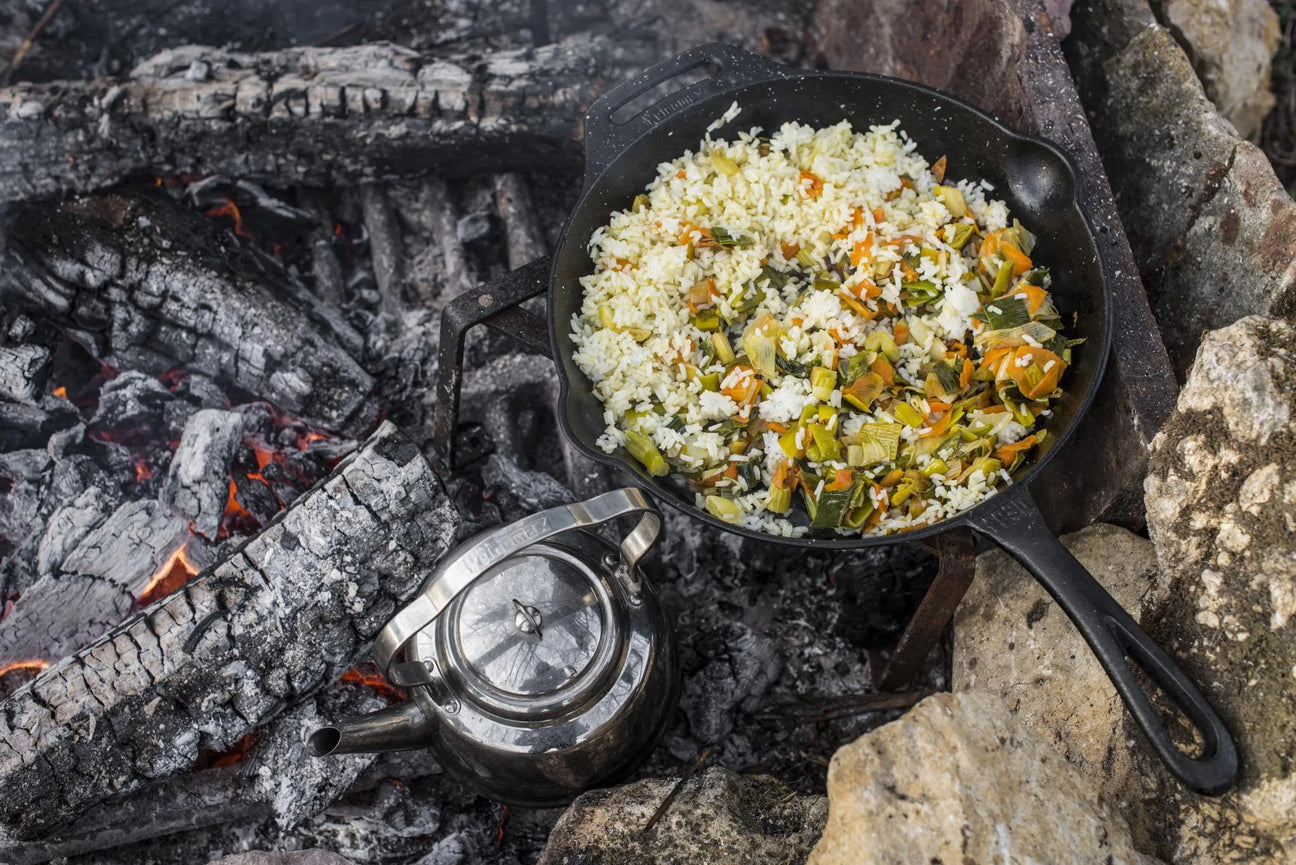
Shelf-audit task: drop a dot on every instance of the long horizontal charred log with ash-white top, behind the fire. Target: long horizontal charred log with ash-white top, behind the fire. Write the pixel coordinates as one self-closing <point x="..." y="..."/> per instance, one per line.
<point x="316" y="116"/>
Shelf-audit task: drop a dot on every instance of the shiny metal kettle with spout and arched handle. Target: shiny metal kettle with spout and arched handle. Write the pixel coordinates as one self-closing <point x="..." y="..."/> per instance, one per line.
<point x="537" y="658"/>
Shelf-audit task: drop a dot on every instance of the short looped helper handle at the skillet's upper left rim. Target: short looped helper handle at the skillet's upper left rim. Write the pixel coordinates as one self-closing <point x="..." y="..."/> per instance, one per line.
<point x="606" y="139"/>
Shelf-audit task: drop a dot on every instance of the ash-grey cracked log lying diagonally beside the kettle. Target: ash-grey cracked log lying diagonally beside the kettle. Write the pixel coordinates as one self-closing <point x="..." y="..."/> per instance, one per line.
<point x="284" y="615"/>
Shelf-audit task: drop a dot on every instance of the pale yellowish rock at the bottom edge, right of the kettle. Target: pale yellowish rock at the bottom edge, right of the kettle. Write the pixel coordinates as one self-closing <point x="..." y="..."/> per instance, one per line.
<point x="960" y="780"/>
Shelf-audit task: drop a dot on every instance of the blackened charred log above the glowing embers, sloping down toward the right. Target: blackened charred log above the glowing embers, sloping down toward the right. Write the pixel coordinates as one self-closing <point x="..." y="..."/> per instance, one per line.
<point x="156" y="286"/>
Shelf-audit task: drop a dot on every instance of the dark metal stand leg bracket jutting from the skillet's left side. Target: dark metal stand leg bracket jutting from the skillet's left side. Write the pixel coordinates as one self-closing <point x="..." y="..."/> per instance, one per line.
<point x="497" y="305"/>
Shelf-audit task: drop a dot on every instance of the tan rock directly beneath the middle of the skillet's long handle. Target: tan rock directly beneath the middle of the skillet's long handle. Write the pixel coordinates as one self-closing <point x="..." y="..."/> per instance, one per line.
<point x="1014" y="643"/>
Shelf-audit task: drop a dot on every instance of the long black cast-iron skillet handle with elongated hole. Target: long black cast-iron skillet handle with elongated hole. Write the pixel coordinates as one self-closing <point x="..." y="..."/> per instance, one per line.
<point x="1013" y="521"/>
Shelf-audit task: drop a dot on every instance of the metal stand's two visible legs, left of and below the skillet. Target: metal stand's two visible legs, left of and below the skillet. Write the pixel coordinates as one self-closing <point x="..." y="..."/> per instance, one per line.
<point x="498" y="307"/>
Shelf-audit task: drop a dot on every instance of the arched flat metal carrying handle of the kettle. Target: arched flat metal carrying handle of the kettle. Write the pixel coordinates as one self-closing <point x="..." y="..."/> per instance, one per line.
<point x="493" y="548"/>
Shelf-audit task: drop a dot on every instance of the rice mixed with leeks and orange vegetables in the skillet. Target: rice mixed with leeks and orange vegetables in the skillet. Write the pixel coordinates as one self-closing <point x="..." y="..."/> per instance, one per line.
<point x="818" y="320"/>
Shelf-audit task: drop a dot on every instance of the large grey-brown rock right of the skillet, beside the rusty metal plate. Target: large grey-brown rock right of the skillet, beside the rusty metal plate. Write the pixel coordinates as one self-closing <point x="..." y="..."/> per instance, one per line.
<point x="1212" y="229"/>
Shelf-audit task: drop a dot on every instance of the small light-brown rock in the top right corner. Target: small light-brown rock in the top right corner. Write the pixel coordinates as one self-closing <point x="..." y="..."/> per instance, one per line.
<point x="1231" y="43"/>
